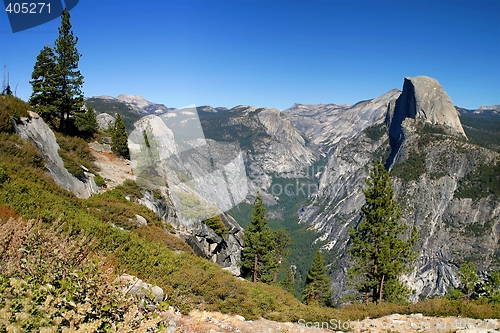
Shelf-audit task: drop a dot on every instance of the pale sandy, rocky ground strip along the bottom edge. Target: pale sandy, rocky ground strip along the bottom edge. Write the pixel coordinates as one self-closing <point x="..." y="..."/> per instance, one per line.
<point x="202" y="321"/>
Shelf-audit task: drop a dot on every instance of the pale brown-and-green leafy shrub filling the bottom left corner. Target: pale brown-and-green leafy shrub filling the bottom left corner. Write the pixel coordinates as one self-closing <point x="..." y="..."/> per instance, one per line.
<point x="57" y="285"/>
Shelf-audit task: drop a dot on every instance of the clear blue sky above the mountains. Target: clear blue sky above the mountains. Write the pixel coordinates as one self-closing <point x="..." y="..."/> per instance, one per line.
<point x="272" y="53"/>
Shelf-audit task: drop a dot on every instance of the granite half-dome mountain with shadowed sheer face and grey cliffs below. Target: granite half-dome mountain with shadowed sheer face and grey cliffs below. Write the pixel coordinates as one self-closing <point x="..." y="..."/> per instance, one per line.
<point x="435" y="173"/>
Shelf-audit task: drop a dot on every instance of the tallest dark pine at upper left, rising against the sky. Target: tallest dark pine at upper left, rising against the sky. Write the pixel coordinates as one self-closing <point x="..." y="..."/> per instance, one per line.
<point x="70" y="80"/>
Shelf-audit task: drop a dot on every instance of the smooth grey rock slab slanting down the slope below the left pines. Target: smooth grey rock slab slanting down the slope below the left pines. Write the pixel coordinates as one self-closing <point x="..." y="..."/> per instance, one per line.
<point x="33" y="128"/>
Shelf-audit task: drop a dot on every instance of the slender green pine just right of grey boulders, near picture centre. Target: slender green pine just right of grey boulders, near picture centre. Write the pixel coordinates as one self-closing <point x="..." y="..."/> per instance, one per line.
<point x="257" y="260"/>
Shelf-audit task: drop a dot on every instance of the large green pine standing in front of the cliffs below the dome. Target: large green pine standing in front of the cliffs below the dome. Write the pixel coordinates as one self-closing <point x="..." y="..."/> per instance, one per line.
<point x="380" y="254"/>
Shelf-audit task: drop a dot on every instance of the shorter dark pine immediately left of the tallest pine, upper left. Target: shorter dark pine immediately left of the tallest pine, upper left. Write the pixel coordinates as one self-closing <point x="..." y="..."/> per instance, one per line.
<point x="45" y="96"/>
